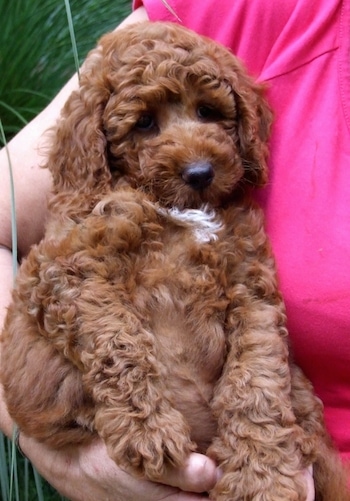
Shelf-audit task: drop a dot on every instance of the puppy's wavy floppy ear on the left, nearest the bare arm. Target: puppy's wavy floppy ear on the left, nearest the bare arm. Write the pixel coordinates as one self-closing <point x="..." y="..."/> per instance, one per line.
<point x="77" y="157"/>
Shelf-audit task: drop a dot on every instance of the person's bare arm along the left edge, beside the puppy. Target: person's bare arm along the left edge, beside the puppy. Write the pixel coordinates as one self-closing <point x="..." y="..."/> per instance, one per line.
<point x="23" y="151"/>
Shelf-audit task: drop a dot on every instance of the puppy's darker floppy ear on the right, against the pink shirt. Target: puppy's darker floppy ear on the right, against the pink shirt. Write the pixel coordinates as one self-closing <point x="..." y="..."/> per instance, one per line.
<point x="254" y="118"/>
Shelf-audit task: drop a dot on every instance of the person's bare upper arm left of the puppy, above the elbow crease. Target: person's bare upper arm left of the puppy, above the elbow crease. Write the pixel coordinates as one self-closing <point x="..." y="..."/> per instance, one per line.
<point x="25" y="154"/>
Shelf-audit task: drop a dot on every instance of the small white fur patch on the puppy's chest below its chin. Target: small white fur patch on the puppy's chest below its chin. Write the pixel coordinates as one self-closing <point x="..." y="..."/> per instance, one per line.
<point x="205" y="223"/>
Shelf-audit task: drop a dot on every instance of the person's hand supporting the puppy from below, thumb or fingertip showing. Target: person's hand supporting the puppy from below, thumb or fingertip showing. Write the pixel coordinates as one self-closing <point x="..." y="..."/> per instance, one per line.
<point x="87" y="473"/>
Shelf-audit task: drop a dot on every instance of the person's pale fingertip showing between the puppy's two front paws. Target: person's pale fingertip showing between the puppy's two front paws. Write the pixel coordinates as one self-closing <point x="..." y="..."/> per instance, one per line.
<point x="199" y="475"/>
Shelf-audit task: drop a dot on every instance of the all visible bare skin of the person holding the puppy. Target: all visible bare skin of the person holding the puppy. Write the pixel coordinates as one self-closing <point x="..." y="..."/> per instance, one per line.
<point x="81" y="473"/>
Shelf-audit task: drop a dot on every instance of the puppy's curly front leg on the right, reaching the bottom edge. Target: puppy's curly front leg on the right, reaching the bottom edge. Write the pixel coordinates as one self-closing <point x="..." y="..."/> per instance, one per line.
<point x="257" y="443"/>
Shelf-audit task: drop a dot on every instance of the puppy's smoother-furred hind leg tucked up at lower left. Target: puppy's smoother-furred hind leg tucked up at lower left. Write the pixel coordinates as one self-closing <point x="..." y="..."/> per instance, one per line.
<point x="43" y="390"/>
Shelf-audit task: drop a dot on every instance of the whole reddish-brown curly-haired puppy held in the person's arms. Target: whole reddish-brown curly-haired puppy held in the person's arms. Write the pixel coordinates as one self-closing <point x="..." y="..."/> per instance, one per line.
<point x="150" y="313"/>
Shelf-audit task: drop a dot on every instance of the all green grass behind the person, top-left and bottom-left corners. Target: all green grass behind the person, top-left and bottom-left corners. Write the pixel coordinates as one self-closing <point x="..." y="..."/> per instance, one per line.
<point x="40" y="47"/>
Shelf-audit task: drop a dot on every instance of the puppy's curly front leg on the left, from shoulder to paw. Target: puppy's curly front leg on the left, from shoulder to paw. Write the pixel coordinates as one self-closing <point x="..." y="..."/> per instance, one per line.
<point x="99" y="334"/>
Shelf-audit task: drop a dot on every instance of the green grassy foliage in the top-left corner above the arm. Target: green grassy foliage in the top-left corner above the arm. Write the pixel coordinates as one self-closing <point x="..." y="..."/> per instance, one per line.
<point x="36" y="54"/>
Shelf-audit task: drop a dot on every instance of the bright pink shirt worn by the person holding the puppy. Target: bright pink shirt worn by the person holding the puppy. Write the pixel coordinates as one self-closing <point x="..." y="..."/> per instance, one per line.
<point x="301" y="48"/>
